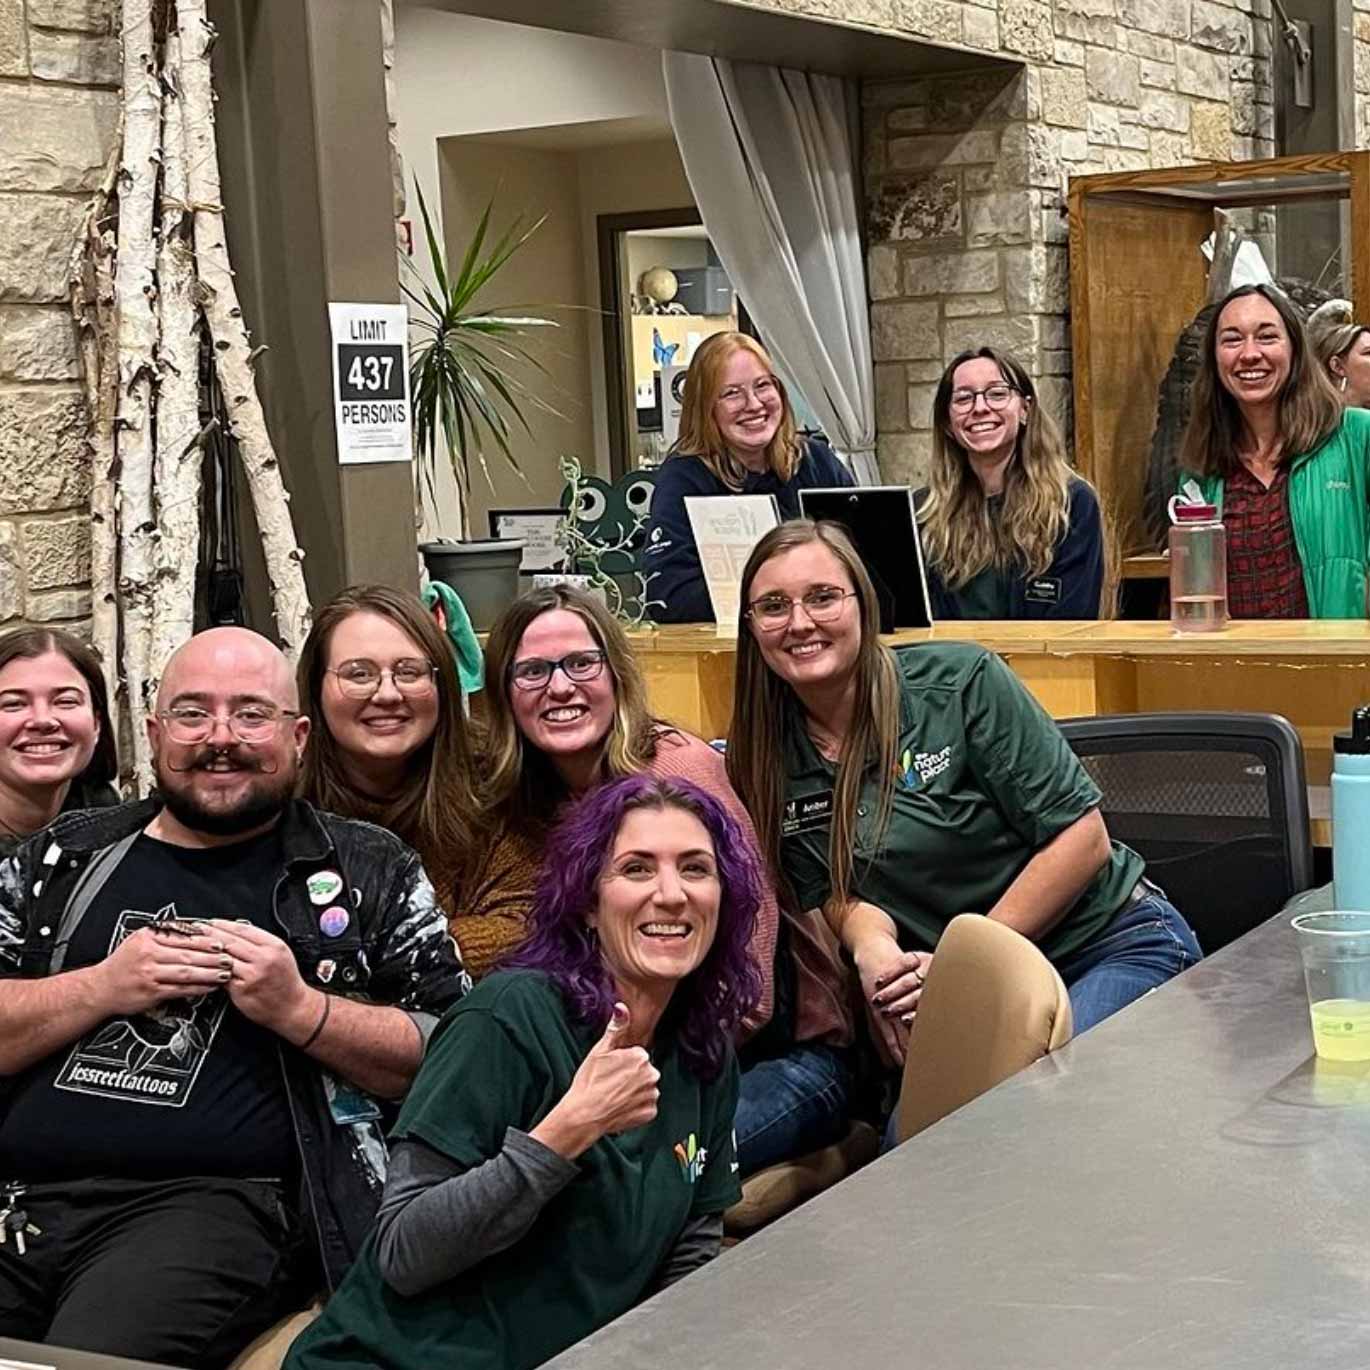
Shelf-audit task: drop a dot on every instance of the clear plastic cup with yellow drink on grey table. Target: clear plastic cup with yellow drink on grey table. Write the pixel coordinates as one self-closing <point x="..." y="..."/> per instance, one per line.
<point x="1336" y="972"/>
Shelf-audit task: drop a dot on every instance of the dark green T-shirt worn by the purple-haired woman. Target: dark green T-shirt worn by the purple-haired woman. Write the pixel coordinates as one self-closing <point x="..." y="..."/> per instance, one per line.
<point x="503" y="1057"/>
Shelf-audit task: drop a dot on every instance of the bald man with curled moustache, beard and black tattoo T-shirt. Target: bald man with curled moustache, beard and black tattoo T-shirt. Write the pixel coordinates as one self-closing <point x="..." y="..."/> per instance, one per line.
<point x="206" y="1002"/>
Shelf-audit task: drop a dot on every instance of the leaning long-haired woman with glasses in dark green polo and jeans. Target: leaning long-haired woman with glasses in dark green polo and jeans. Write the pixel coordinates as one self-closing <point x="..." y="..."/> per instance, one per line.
<point x="899" y="791"/>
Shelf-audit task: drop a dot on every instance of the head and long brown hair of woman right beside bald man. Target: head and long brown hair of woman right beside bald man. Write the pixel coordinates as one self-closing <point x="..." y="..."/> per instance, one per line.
<point x="390" y="742"/>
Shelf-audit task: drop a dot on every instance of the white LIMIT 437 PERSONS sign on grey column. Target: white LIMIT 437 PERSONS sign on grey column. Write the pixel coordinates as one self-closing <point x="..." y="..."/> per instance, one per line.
<point x="372" y="382"/>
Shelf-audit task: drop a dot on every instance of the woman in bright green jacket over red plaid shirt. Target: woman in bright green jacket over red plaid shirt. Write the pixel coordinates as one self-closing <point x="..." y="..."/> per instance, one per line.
<point x="1287" y="468"/>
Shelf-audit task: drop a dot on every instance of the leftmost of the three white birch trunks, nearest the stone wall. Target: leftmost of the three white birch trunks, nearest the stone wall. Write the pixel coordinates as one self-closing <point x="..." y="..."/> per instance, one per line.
<point x="136" y="294"/>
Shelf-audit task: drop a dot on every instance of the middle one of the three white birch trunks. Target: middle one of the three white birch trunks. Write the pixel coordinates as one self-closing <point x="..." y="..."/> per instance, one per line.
<point x="179" y="451"/>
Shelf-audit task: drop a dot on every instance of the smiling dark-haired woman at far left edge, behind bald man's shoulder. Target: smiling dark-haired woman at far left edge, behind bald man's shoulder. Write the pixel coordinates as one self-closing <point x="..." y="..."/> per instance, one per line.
<point x="57" y="743"/>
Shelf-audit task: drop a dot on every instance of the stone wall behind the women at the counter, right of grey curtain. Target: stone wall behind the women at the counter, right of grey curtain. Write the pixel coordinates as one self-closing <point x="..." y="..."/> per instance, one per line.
<point x="965" y="176"/>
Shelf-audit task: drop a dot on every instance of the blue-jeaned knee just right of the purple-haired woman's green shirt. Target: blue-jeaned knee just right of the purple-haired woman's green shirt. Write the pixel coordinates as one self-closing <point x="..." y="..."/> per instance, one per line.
<point x="791" y="1106"/>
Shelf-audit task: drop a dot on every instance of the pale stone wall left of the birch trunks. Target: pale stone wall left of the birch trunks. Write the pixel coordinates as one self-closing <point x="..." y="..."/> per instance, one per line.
<point x="60" y="71"/>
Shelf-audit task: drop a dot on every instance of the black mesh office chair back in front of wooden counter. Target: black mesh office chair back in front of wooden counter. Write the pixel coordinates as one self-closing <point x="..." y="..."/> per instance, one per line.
<point x="1216" y="804"/>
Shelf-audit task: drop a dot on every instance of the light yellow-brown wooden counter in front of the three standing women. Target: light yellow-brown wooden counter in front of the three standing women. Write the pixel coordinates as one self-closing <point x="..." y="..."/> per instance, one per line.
<point x="1312" y="672"/>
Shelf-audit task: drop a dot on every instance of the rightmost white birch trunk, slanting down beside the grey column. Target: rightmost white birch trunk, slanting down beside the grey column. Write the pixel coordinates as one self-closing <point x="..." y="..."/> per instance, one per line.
<point x="232" y="350"/>
